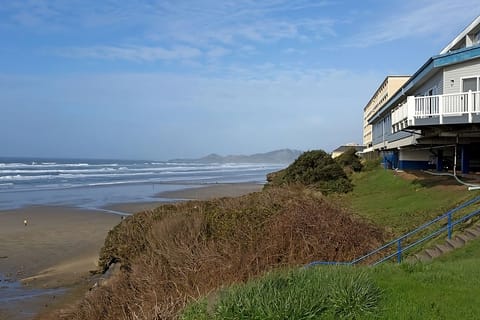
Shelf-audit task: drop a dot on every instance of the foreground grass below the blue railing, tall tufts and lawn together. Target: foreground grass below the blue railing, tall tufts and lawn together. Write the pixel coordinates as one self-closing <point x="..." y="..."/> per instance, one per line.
<point x="447" y="288"/>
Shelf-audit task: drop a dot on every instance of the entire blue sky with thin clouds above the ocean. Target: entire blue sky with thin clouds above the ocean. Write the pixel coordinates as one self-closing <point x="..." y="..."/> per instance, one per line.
<point x="153" y="79"/>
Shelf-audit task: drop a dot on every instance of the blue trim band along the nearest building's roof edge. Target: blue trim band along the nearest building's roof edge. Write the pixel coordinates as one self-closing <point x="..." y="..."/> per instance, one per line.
<point x="432" y="63"/>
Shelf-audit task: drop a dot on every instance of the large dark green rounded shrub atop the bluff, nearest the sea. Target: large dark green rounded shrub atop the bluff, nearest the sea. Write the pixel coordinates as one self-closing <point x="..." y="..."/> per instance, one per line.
<point x="314" y="169"/>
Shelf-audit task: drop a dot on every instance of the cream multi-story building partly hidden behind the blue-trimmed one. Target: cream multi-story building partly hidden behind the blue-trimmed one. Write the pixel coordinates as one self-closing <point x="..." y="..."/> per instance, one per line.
<point x="389" y="86"/>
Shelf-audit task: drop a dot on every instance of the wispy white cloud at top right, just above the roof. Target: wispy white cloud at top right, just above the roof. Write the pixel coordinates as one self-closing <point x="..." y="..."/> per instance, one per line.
<point x="417" y="19"/>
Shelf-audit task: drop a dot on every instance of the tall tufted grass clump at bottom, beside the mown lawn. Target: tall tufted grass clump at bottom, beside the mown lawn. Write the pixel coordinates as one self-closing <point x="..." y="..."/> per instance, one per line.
<point x="317" y="293"/>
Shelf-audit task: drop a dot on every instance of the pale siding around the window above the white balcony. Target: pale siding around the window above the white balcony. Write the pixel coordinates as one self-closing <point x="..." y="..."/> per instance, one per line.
<point x="458" y="71"/>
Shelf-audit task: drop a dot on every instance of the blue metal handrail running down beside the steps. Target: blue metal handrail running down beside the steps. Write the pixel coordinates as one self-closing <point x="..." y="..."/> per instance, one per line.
<point x="396" y="248"/>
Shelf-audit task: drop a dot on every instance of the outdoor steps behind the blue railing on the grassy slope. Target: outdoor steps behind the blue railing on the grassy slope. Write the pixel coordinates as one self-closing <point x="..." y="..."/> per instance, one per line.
<point x="456" y="242"/>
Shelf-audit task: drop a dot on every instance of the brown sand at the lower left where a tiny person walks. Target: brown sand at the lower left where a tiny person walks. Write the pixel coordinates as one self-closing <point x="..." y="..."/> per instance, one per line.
<point x="56" y="249"/>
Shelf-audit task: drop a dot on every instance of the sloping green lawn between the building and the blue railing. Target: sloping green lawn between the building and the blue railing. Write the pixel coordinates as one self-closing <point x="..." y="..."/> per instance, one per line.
<point x="398" y="204"/>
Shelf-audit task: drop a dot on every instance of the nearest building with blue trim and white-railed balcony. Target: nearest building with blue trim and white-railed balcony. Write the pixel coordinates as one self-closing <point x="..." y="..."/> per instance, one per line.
<point x="433" y="120"/>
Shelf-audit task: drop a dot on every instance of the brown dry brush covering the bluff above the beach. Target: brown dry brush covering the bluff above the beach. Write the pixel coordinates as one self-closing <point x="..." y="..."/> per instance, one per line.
<point x="181" y="252"/>
